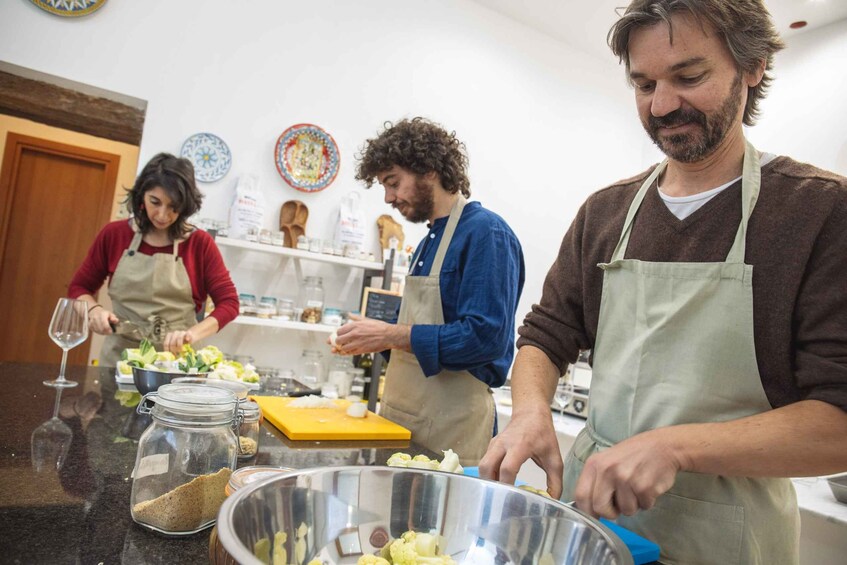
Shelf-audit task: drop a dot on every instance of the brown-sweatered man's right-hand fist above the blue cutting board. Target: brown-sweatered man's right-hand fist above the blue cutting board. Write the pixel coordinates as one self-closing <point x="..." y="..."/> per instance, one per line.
<point x="628" y="476"/>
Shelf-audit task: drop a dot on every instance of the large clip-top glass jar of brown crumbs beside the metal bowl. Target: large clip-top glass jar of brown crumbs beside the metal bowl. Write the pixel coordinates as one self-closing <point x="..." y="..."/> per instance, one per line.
<point x="185" y="458"/>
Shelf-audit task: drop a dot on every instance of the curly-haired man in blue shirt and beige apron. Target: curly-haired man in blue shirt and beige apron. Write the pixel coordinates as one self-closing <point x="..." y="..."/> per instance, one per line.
<point x="454" y="339"/>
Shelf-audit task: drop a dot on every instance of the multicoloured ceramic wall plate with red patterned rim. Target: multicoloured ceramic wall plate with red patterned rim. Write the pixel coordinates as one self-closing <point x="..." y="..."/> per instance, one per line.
<point x="306" y="157"/>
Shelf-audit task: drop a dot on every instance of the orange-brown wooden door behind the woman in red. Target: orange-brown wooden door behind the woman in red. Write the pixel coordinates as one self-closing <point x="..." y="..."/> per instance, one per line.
<point x="54" y="198"/>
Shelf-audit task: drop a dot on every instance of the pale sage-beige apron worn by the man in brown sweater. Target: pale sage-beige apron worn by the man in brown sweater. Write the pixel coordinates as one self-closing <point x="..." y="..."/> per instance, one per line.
<point x="674" y="346"/>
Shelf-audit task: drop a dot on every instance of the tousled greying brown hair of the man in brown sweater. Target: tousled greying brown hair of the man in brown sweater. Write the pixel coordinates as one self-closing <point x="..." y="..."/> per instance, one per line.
<point x="744" y="25"/>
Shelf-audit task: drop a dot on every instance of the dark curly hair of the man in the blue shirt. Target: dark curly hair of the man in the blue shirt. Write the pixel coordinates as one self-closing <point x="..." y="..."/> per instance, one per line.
<point x="420" y="146"/>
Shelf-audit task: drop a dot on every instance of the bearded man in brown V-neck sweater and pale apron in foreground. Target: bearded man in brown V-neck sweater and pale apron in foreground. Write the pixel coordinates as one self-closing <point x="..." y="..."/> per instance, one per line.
<point x="710" y="290"/>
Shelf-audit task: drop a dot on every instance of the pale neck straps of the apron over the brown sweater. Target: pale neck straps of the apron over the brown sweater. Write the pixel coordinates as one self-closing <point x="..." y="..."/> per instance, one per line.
<point x="751" y="182"/>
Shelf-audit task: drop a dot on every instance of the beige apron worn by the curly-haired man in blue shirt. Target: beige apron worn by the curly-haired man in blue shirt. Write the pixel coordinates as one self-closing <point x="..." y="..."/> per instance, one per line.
<point x="450" y="410"/>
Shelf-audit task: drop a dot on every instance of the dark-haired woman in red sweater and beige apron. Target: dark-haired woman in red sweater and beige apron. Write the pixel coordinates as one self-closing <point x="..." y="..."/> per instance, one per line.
<point x="160" y="268"/>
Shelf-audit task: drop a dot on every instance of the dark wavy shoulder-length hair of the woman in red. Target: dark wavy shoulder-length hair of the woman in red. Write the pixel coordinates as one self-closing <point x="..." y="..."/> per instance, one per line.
<point x="176" y="177"/>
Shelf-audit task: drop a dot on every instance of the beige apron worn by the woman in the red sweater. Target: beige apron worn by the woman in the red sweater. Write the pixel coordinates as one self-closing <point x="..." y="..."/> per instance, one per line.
<point x="154" y="292"/>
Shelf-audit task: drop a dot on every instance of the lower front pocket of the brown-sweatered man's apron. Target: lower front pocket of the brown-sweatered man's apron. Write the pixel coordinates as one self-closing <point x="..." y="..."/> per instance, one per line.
<point x="690" y="531"/>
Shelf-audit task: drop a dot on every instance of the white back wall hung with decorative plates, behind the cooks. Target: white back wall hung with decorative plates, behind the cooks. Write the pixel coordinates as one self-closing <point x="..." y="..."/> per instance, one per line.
<point x="544" y="125"/>
